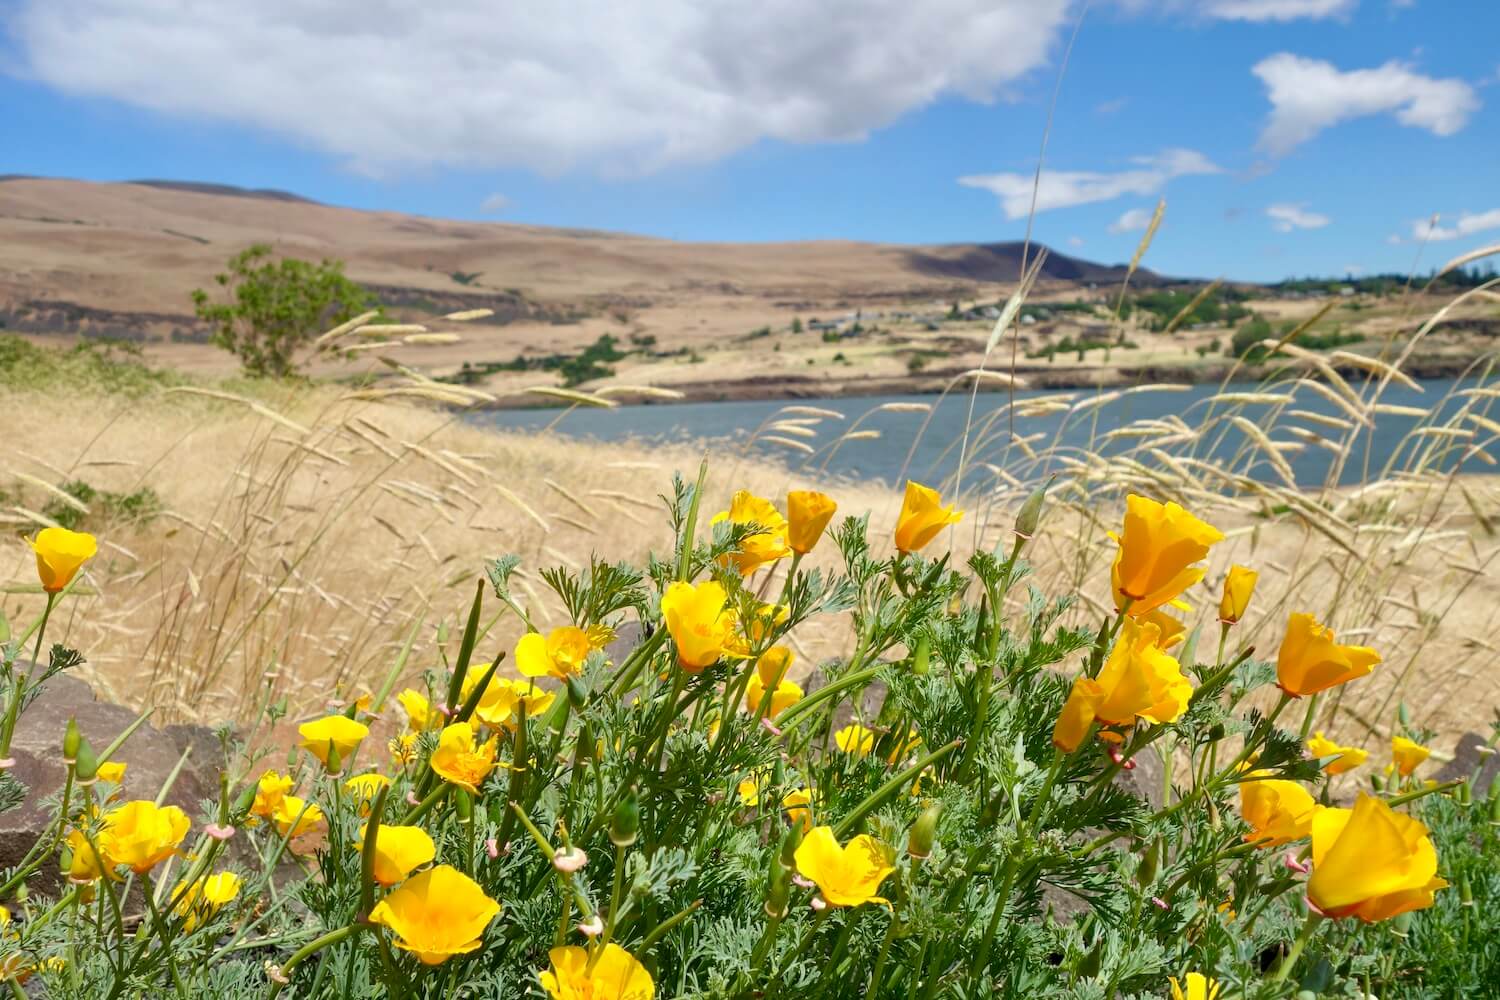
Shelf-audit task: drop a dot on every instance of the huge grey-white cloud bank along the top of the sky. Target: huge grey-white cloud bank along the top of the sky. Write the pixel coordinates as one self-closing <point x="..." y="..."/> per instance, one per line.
<point x="619" y="88"/>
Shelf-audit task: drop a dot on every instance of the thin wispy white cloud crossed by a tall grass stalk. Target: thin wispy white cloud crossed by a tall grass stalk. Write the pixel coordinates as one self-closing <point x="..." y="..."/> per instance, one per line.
<point x="1064" y="190"/>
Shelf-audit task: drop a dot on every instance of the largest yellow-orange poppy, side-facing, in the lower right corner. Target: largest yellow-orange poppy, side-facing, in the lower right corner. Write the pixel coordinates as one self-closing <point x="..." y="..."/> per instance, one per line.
<point x="1372" y="863"/>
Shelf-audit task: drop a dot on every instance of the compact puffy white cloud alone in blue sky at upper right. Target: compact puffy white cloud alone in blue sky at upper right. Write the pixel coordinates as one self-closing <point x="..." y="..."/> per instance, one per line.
<point x="1310" y="95"/>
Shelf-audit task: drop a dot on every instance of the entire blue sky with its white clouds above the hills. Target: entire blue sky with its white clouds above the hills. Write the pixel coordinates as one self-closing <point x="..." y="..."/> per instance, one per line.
<point x="1289" y="137"/>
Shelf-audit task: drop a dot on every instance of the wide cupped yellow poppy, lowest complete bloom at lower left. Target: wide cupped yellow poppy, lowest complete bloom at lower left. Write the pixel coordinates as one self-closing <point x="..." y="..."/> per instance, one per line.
<point x="437" y="915"/>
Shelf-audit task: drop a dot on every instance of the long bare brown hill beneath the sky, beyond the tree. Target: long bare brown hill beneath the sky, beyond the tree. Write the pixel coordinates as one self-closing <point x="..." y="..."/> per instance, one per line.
<point x="125" y="257"/>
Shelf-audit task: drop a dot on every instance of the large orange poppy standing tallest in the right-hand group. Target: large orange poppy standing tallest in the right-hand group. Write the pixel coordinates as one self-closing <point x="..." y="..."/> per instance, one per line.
<point x="1159" y="548"/>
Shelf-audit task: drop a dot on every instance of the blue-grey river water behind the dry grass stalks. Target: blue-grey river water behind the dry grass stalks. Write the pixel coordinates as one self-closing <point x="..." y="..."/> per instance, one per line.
<point x="887" y="457"/>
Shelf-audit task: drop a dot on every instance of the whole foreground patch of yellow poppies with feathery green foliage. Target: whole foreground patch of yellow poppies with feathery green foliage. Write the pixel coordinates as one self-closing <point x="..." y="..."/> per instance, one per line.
<point x="952" y="812"/>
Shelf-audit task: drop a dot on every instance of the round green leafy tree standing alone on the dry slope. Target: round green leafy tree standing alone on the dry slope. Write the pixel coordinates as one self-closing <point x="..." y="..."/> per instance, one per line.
<point x="277" y="307"/>
